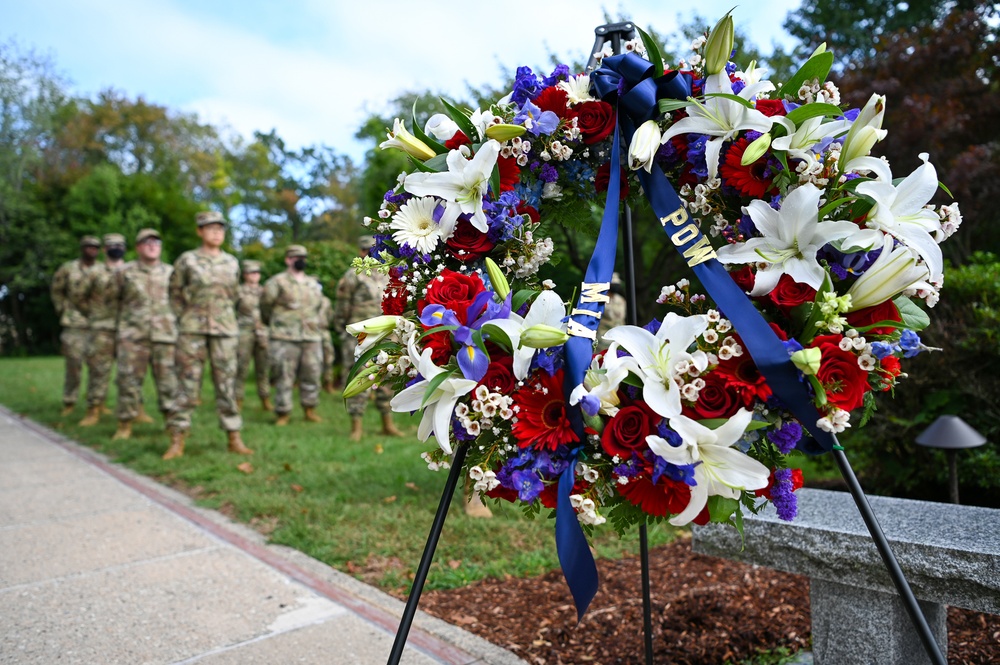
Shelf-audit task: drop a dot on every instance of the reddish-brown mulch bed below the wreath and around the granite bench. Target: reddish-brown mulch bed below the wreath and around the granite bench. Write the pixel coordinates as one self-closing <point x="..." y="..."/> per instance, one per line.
<point x="705" y="611"/>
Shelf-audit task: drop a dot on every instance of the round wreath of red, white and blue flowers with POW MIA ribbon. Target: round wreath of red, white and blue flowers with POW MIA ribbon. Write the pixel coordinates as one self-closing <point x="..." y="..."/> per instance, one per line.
<point x="676" y="419"/>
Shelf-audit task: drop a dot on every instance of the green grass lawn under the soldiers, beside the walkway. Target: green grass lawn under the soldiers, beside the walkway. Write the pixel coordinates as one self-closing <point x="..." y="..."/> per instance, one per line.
<point x="364" y="508"/>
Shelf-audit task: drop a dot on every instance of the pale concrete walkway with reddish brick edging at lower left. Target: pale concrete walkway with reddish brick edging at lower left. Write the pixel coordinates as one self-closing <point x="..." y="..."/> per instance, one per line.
<point x="101" y="565"/>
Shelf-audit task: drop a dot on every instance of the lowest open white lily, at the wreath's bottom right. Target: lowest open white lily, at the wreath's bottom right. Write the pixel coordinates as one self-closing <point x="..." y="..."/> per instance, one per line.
<point x="720" y="469"/>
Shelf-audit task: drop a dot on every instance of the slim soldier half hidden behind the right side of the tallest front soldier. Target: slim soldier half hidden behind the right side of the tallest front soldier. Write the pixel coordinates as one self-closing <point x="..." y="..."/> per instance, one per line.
<point x="253" y="337"/>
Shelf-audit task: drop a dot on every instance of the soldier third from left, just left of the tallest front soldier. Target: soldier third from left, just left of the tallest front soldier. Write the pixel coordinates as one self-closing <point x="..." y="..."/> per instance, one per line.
<point x="147" y="334"/>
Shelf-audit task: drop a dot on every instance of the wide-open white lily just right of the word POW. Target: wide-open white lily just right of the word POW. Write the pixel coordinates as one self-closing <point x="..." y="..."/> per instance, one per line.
<point x="791" y="238"/>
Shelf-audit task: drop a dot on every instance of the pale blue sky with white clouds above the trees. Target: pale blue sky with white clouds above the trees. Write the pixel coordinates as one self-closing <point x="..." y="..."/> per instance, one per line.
<point x="314" y="69"/>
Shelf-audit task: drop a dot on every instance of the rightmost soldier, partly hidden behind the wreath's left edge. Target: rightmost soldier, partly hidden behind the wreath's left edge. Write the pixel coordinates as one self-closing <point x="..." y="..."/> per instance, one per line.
<point x="359" y="297"/>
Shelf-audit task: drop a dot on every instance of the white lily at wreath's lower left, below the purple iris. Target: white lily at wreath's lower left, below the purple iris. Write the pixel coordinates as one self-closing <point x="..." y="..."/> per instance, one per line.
<point x="439" y="405"/>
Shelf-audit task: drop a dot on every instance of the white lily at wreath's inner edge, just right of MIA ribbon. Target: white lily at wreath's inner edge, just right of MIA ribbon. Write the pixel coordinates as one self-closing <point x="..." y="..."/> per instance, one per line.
<point x="658" y="357"/>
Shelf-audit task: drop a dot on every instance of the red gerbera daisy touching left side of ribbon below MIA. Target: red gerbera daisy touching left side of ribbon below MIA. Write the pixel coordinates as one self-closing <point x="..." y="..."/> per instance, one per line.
<point x="541" y="416"/>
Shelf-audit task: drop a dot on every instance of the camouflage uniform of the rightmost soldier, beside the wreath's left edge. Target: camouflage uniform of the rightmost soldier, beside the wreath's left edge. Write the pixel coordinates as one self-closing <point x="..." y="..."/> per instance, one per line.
<point x="359" y="297"/>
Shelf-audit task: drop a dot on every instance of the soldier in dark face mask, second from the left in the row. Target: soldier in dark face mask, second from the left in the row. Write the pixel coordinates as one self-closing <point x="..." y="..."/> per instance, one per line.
<point x="102" y="297"/>
